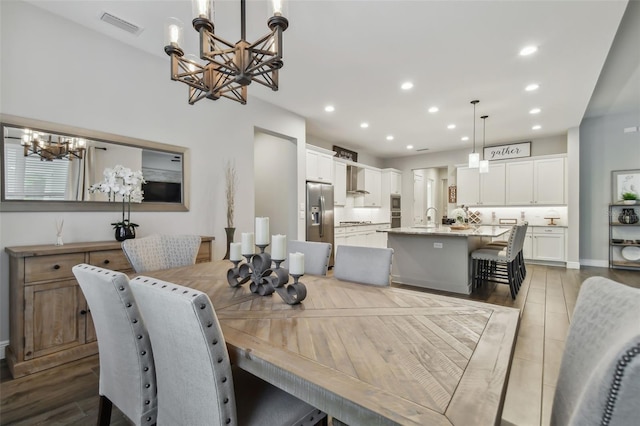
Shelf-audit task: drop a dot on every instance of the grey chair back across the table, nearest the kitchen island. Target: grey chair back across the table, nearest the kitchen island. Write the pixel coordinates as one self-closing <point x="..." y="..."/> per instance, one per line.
<point x="365" y="265"/>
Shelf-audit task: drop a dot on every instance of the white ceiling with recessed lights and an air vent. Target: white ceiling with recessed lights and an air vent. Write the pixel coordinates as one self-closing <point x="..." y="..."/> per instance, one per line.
<point x="354" y="55"/>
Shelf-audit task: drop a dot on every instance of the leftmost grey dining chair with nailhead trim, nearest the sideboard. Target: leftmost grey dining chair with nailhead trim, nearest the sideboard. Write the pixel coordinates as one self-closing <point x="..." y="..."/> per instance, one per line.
<point x="127" y="370"/>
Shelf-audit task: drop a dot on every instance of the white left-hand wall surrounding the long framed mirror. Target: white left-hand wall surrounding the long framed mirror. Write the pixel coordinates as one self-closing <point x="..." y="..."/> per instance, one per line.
<point x="58" y="71"/>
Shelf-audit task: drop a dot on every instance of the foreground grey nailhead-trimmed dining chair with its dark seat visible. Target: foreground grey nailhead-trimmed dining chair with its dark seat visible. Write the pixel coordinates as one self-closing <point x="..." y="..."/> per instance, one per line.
<point x="197" y="384"/>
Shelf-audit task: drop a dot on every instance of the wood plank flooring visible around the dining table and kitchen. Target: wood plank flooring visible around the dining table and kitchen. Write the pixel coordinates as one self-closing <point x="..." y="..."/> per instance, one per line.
<point x="68" y="395"/>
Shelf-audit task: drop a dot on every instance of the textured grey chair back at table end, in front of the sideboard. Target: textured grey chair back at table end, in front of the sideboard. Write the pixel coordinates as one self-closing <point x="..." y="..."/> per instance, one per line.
<point x="157" y="252"/>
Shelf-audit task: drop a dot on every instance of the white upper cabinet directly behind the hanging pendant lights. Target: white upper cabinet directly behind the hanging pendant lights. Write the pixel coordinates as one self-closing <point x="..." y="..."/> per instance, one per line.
<point x="481" y="189"/>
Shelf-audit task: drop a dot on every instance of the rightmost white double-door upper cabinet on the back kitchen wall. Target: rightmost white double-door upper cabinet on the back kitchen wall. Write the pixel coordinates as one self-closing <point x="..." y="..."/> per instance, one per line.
<point x="535" y="182"/>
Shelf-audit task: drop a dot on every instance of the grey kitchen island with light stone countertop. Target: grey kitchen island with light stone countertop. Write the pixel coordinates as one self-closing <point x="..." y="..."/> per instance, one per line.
<point x="437" y="257"/>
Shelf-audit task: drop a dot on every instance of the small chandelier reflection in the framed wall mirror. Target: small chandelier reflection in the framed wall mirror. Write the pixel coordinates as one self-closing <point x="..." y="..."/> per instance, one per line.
<point x="50" y="149"/>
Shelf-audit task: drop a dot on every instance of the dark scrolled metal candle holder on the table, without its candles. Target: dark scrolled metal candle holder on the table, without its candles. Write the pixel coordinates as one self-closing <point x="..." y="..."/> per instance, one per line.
<point x="264" y="279"/>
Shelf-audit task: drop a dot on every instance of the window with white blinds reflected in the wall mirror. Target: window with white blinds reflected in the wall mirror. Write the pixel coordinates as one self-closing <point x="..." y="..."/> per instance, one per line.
<point x="30" y="178"/>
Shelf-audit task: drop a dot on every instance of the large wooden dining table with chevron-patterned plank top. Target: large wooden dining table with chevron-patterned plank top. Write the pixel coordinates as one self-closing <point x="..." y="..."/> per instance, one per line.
<point x="367" y="355"/>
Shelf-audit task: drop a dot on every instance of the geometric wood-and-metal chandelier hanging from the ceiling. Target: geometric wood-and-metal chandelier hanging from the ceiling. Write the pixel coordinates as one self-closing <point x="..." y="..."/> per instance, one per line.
<point x="229" y="67"/>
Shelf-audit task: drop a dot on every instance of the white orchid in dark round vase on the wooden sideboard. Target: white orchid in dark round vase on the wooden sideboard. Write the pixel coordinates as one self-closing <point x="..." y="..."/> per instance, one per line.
<point x="122" y="182"/>
